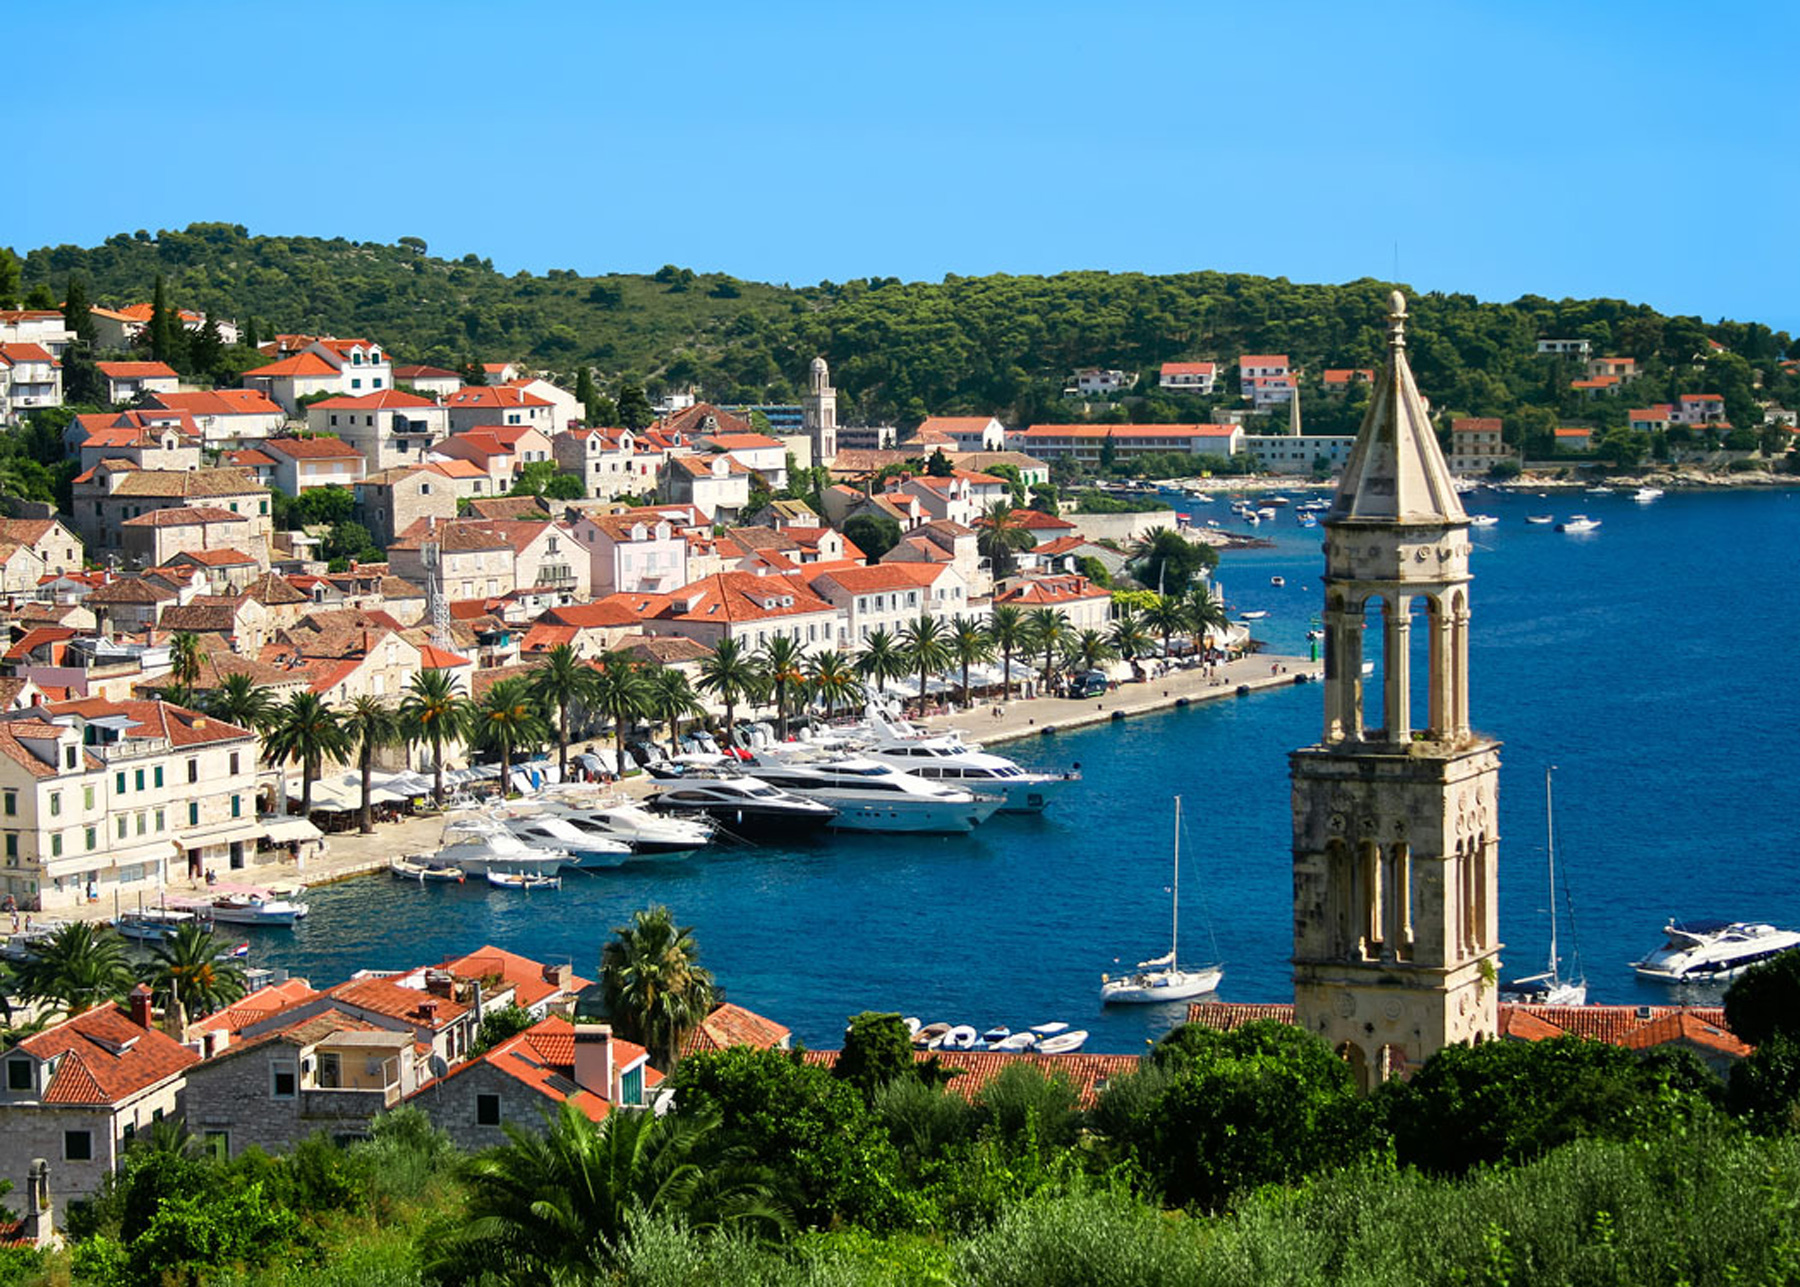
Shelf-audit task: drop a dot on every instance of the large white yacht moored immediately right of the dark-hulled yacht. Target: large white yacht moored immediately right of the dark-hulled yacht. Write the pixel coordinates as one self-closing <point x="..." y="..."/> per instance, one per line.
<point x="874" y="796"/>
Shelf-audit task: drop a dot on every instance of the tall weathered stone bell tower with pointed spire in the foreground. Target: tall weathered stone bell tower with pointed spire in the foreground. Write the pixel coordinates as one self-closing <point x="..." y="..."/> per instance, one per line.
<point x="1396" y="827"/>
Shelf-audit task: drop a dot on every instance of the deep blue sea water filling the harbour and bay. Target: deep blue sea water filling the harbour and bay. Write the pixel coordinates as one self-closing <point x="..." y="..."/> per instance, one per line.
<point x="1650" y="661"/>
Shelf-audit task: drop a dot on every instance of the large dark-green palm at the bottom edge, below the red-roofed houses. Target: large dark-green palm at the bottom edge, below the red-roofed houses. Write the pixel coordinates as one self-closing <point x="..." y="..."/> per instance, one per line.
<point x="555" y="1207"/>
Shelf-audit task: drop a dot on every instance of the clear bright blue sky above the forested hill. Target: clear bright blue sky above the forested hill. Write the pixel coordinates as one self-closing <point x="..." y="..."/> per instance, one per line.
<point x="1630" y="150"/>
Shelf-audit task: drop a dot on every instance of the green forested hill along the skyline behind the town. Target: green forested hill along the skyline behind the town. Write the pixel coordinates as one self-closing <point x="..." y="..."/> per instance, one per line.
<point x="906" y="350"/>
